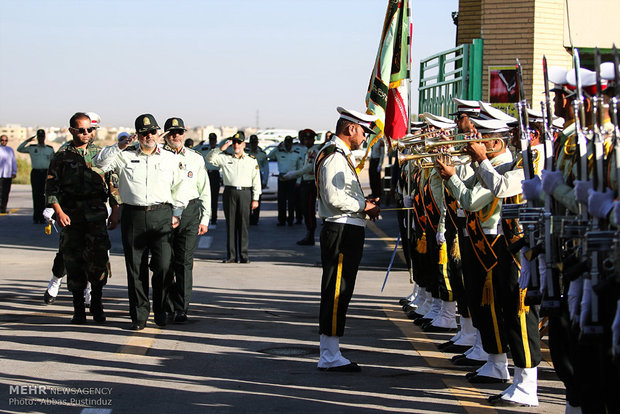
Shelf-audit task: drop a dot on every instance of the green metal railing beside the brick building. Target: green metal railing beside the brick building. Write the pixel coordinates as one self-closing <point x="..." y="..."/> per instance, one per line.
<point x="453" y="73"/>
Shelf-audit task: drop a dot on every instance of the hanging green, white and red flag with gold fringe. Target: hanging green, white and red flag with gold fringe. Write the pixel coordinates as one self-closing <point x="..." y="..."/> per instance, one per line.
<point x="388" y="91"/>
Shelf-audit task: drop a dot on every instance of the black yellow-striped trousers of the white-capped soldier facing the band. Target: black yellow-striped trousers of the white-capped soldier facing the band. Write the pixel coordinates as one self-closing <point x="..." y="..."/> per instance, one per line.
<point x="341" y="253"/>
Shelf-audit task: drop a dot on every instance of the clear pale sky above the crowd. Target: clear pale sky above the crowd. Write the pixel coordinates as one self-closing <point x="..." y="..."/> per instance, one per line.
<point x="207" y="61"/>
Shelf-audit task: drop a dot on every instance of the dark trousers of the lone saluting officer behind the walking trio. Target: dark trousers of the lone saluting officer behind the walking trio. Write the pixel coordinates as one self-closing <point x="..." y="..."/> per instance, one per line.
<point x="237" y="213"/>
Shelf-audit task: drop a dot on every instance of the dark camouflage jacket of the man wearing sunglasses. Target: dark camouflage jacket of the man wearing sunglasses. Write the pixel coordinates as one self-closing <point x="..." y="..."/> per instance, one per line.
<point x="78" y="186"/>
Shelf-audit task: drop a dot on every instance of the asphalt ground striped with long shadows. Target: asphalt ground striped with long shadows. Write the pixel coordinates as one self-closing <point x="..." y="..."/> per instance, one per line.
<point x="251" y="344"/>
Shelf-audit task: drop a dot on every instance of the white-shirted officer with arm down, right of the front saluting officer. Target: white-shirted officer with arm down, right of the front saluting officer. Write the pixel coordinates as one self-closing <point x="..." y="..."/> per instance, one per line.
<point x="196" y="195"/>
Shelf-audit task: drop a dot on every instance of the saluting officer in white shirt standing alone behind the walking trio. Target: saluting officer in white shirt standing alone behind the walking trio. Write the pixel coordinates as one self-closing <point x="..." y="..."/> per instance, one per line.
<point x="242" y="190"/>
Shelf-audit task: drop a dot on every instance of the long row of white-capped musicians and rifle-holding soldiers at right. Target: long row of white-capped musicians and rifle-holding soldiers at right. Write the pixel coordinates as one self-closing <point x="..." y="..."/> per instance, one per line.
<point x="470" y="256"/>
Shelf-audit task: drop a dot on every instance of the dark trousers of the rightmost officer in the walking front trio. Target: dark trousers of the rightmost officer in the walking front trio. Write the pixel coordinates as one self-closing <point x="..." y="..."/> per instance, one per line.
<point x="184" y="241"/>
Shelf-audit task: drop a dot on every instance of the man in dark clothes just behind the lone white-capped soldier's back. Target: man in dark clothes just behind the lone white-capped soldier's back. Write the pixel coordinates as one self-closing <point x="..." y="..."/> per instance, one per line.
<point x="307" y="186"/>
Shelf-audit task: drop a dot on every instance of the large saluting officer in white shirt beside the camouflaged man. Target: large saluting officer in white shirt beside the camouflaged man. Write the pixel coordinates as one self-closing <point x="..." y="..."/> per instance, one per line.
<point x="149" y="181"/>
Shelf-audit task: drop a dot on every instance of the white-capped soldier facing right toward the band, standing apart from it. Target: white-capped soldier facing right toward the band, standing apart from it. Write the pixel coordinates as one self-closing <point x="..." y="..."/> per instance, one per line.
<point x="344" y="208"/>
